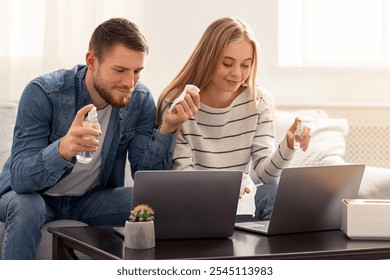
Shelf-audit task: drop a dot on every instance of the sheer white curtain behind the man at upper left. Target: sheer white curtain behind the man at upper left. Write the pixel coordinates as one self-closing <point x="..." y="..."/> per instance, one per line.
<point x="40" y="36"/>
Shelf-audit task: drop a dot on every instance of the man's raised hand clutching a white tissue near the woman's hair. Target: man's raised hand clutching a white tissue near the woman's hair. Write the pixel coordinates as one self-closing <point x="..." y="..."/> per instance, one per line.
<point x="182" y="112"/>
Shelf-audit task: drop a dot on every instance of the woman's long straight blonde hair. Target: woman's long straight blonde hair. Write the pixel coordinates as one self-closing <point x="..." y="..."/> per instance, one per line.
<point x="200" y="67"/>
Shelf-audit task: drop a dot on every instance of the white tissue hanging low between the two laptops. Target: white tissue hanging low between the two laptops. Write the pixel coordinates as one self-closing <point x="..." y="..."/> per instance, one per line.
<point x="246" y="204"/>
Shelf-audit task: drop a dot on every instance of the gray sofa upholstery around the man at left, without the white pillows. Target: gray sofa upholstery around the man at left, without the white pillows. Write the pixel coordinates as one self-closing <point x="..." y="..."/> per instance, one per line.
<point x="7" y="121"/>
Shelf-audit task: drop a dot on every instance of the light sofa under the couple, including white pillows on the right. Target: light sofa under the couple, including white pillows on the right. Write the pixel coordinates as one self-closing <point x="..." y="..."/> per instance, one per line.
<point x="327" y="147"/>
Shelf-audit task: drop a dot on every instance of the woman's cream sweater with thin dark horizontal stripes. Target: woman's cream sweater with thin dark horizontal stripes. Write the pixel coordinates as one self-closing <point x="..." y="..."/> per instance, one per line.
<point x="239" y="137"/>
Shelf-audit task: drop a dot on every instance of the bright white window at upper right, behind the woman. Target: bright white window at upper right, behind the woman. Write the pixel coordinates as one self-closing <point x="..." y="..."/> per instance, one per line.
<point x="334" y="33"/>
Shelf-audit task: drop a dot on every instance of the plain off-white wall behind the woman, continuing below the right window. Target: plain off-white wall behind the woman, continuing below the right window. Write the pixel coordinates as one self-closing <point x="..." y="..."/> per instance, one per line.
<point x="173" y="28"/>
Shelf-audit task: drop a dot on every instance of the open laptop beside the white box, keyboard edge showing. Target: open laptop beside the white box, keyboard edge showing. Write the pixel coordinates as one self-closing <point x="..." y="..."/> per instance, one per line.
<point x="309" y="199"/>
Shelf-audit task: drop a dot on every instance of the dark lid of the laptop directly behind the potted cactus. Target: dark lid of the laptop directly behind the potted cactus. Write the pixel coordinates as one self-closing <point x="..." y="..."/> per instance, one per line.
<point x="190" y="204"/>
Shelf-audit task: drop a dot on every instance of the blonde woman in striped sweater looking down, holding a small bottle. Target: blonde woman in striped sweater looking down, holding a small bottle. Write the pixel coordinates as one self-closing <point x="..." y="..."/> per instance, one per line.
<point x="234" y="127"/>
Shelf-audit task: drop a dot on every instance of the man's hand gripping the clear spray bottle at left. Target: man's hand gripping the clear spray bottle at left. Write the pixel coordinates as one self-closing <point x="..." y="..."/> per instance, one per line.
<point x="78" y="138"/>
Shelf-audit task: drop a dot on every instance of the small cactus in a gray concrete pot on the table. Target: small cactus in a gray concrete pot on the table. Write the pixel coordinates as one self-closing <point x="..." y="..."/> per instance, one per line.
<point x="139" y="229"/>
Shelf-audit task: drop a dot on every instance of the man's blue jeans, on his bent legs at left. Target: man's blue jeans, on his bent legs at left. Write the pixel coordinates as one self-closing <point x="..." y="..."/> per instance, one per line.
<point x="25" y="214"/>
